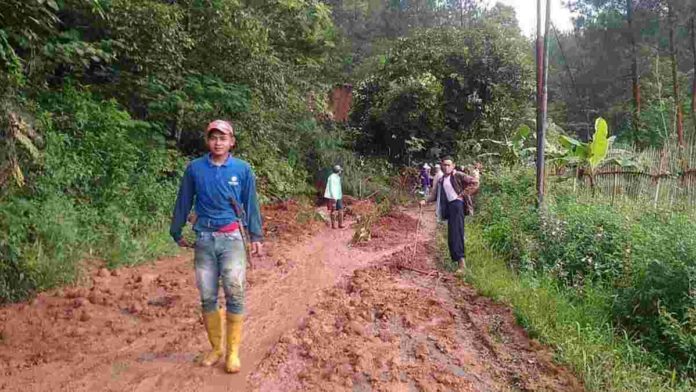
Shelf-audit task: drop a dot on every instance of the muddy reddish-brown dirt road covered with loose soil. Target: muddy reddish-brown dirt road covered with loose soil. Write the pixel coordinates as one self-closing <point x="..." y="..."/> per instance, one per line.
<point x="321" y="316"/>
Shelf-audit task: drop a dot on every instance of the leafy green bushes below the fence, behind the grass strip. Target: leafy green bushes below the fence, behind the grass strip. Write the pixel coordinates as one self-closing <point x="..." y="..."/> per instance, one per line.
<point x="644" y="259"/>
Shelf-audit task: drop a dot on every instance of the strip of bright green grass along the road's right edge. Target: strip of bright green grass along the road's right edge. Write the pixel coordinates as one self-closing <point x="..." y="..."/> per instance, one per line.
<point x="580" y="333"/>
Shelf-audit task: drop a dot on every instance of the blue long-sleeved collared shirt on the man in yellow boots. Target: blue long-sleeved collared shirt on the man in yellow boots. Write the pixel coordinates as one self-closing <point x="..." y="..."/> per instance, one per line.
<point x="213" y="187"/>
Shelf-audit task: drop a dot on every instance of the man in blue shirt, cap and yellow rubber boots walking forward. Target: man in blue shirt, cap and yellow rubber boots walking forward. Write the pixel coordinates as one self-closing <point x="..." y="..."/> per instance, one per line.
<point x="216" y="182"/>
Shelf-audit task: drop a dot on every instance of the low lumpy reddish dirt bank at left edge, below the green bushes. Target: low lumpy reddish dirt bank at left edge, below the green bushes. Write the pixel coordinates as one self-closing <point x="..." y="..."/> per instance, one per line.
<point x="117" y="309"/>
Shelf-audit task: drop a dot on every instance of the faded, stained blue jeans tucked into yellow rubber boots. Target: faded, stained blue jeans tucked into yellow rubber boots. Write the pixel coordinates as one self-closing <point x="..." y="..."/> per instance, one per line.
<point x="220" y="256"/>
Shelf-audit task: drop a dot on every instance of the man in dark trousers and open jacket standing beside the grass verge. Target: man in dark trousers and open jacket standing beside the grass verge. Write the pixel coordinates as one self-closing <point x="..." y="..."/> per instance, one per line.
<point x="454" y="192"/>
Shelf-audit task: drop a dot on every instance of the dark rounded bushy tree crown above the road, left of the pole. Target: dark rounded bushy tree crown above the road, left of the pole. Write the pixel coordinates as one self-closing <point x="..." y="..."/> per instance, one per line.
<point x="437" y="85"/>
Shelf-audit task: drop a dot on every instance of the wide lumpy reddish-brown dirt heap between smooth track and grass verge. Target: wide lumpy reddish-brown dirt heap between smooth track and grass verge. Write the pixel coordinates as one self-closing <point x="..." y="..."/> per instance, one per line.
<point x="386" y="330"/>
